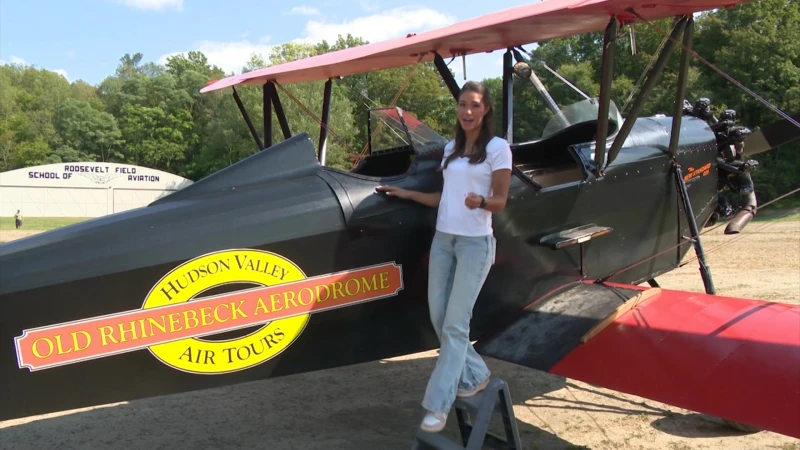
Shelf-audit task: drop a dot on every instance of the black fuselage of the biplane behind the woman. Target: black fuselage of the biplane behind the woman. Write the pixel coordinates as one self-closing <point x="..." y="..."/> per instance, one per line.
<point x="326" y="220"/>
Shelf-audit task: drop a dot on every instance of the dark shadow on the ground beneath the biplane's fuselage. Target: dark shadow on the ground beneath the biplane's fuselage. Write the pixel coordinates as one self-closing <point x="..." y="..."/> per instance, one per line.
<point x="369" y="406"/>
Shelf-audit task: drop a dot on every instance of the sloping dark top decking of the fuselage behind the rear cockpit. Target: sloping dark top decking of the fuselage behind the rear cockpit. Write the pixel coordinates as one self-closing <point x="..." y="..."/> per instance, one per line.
<point x="272" y="196"/>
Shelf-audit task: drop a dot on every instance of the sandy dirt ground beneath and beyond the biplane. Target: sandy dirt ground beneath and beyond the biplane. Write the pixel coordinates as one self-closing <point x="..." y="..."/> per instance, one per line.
<point x="376" y="405"/>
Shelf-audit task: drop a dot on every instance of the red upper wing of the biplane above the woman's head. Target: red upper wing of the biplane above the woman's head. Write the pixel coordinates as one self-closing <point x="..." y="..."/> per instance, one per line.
<point x="536" y="22"/>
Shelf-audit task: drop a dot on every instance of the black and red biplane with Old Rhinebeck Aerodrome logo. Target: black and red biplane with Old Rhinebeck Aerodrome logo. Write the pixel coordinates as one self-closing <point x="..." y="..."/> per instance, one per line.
<point x="279" y="264"/>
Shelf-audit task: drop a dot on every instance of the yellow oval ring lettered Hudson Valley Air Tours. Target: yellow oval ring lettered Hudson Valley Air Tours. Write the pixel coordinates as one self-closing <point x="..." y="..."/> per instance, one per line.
<point x="187" y="281"/>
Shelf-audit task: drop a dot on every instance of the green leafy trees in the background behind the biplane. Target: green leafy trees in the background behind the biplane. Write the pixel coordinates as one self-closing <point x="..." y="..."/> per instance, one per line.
<point x="154" y="115"/>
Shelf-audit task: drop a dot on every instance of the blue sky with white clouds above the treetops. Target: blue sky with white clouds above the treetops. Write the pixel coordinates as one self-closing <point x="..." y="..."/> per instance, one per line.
<point x="86" y="39"/>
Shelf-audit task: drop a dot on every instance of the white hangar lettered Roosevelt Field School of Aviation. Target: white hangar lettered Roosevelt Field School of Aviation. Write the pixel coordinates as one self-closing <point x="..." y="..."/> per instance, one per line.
<point x="82" y="189"/>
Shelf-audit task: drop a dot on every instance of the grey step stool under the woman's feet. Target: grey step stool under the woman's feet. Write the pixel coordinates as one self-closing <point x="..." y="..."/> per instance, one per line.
<point x="495" y="398"/>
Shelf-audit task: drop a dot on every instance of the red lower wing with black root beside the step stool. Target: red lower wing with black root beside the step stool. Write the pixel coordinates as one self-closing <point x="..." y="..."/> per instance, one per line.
<point x="733" y="358"/>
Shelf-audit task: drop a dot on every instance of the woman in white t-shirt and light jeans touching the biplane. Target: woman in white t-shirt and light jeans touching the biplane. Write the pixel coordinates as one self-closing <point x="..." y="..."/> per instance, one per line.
<point x="477" y="170"/>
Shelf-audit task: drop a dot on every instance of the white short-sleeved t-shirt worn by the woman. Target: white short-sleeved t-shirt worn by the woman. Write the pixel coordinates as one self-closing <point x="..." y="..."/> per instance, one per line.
<point x="461" y="178"/>
